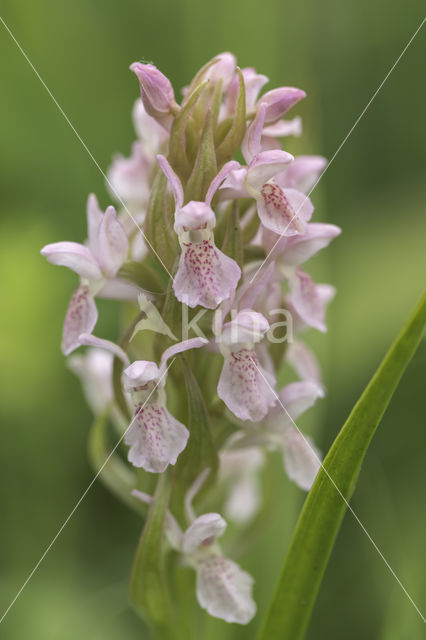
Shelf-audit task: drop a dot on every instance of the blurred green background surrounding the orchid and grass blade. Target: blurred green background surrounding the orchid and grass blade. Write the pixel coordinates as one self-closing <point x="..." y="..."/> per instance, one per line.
<point x="339" y="52"/>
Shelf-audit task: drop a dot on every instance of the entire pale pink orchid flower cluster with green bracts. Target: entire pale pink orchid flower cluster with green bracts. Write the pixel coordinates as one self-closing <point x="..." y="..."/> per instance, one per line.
<point x="207" y="243"/>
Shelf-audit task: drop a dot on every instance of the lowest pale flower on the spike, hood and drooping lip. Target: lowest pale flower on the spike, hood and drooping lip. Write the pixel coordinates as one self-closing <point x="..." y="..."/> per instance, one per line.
<point x="223" y="589"/>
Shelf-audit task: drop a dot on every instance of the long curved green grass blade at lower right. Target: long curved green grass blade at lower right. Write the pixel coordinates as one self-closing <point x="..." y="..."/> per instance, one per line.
<point x="325" y="506"/>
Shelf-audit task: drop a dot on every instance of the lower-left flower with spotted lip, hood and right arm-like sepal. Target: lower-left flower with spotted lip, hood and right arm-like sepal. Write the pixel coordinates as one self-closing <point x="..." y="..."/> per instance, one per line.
<point x="155" y="437"/>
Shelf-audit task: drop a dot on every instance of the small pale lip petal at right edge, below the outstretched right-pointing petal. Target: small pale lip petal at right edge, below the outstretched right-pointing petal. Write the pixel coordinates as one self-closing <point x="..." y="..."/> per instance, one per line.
<point x="309" y="299"/>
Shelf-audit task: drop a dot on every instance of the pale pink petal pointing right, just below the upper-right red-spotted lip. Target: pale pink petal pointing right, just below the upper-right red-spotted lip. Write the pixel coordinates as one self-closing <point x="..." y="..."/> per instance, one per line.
<point x="295" y="250"/>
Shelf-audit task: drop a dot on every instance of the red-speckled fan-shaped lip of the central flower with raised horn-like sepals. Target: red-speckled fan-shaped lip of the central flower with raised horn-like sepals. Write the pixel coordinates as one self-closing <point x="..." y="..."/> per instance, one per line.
<point x="205" y="275"/>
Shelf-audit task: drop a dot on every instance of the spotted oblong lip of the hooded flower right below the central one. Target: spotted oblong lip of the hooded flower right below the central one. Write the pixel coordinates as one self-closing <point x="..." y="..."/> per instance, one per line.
<point x="243" y="386"/>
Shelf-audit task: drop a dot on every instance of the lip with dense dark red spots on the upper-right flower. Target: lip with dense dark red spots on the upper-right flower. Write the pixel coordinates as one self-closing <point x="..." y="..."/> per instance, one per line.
<point x="285" y="212"/>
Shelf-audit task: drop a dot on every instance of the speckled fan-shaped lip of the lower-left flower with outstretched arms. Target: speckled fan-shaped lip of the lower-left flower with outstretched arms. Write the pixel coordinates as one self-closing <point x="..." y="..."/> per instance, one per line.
<point x="155" y="438"/>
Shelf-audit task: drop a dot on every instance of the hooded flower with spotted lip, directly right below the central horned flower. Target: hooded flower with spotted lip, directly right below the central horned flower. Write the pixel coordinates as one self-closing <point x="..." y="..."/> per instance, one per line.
<point x="244" y="385"/>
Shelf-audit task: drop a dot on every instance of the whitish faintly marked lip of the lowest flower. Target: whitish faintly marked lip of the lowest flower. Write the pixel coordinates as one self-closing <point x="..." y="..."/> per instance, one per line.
<point x="225" y="590"/>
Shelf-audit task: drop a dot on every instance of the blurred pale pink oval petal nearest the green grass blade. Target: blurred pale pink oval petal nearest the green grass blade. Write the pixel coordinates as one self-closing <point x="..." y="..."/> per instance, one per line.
<point x="302" y="459"/>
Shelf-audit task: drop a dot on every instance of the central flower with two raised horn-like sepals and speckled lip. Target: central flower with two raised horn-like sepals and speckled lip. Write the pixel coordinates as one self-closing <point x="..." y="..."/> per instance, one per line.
<point x="205" y="275"/>
